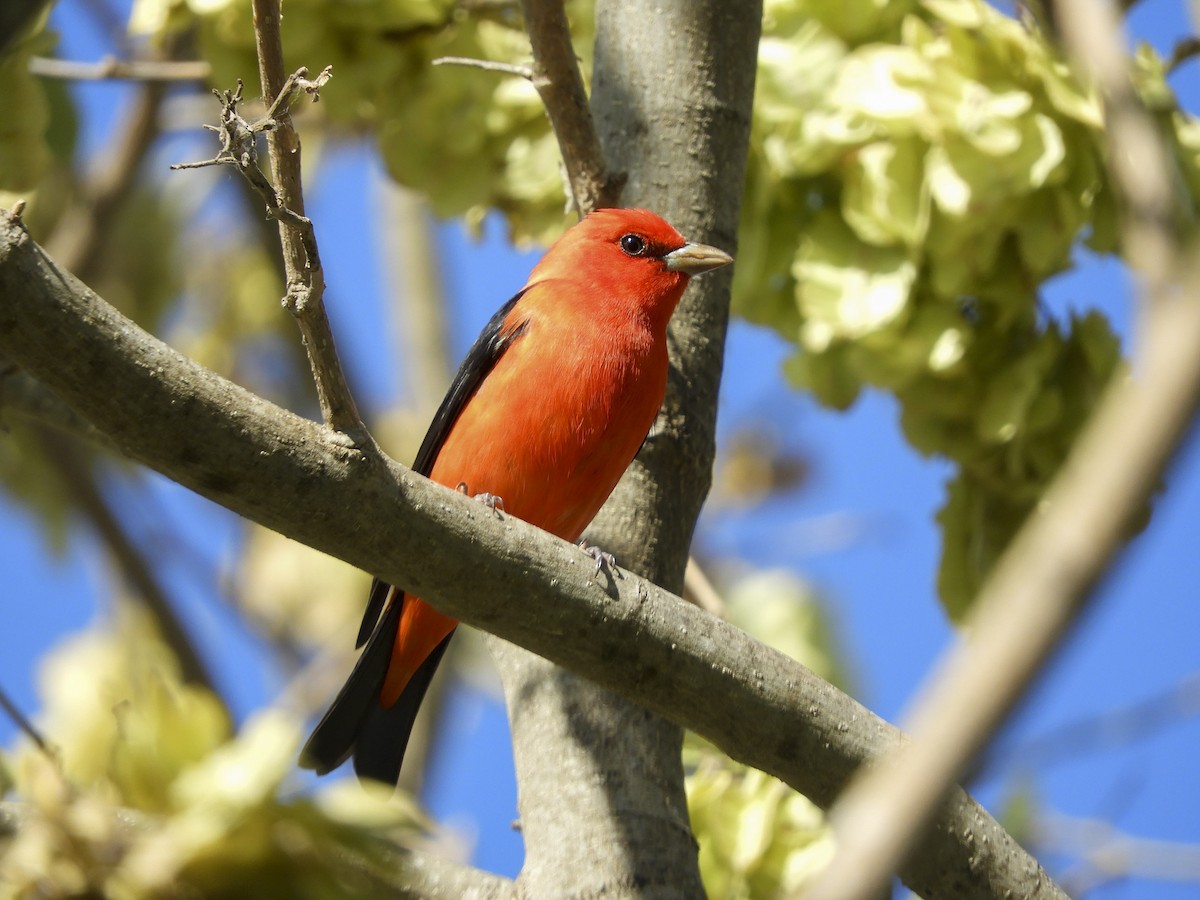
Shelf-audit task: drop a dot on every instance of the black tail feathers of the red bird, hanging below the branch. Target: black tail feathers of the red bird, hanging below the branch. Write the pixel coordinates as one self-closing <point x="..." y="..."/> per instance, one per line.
<point x="358" y="724"/>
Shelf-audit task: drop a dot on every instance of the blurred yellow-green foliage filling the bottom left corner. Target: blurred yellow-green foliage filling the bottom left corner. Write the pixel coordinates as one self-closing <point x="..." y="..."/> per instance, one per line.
<point x="149" y="794"/>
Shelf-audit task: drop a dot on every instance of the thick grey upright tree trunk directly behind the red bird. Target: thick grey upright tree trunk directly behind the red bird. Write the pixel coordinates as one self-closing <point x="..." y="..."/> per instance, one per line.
<point x="603" y="807"/>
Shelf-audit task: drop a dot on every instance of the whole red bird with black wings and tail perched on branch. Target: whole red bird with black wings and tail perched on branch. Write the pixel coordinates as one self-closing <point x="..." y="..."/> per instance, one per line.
<point x="548" y="411"/>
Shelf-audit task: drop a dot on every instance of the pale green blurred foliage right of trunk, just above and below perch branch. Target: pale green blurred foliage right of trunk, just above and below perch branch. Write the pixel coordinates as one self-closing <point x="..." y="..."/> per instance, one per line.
<point x="758" y="837"/>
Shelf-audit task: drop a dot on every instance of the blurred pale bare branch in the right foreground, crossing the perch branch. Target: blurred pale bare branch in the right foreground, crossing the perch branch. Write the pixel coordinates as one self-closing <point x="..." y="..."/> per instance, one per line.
<point x="1042" y="585"/>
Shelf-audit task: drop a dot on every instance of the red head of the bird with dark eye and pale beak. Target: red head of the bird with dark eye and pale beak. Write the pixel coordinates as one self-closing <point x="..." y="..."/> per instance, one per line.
<point x="631" y="257"/>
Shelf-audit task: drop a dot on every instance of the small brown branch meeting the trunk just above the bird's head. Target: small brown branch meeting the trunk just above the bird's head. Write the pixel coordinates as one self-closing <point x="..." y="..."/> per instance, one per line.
<point x="556" y="75"/>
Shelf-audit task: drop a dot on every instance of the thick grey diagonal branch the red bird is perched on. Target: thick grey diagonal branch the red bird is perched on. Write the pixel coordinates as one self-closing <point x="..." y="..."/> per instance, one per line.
<point x="628" y="635"/>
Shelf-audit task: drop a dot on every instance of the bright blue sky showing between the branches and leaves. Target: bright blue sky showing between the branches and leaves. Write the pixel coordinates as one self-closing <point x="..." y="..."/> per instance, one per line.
<point x="1141" y="638"/>
